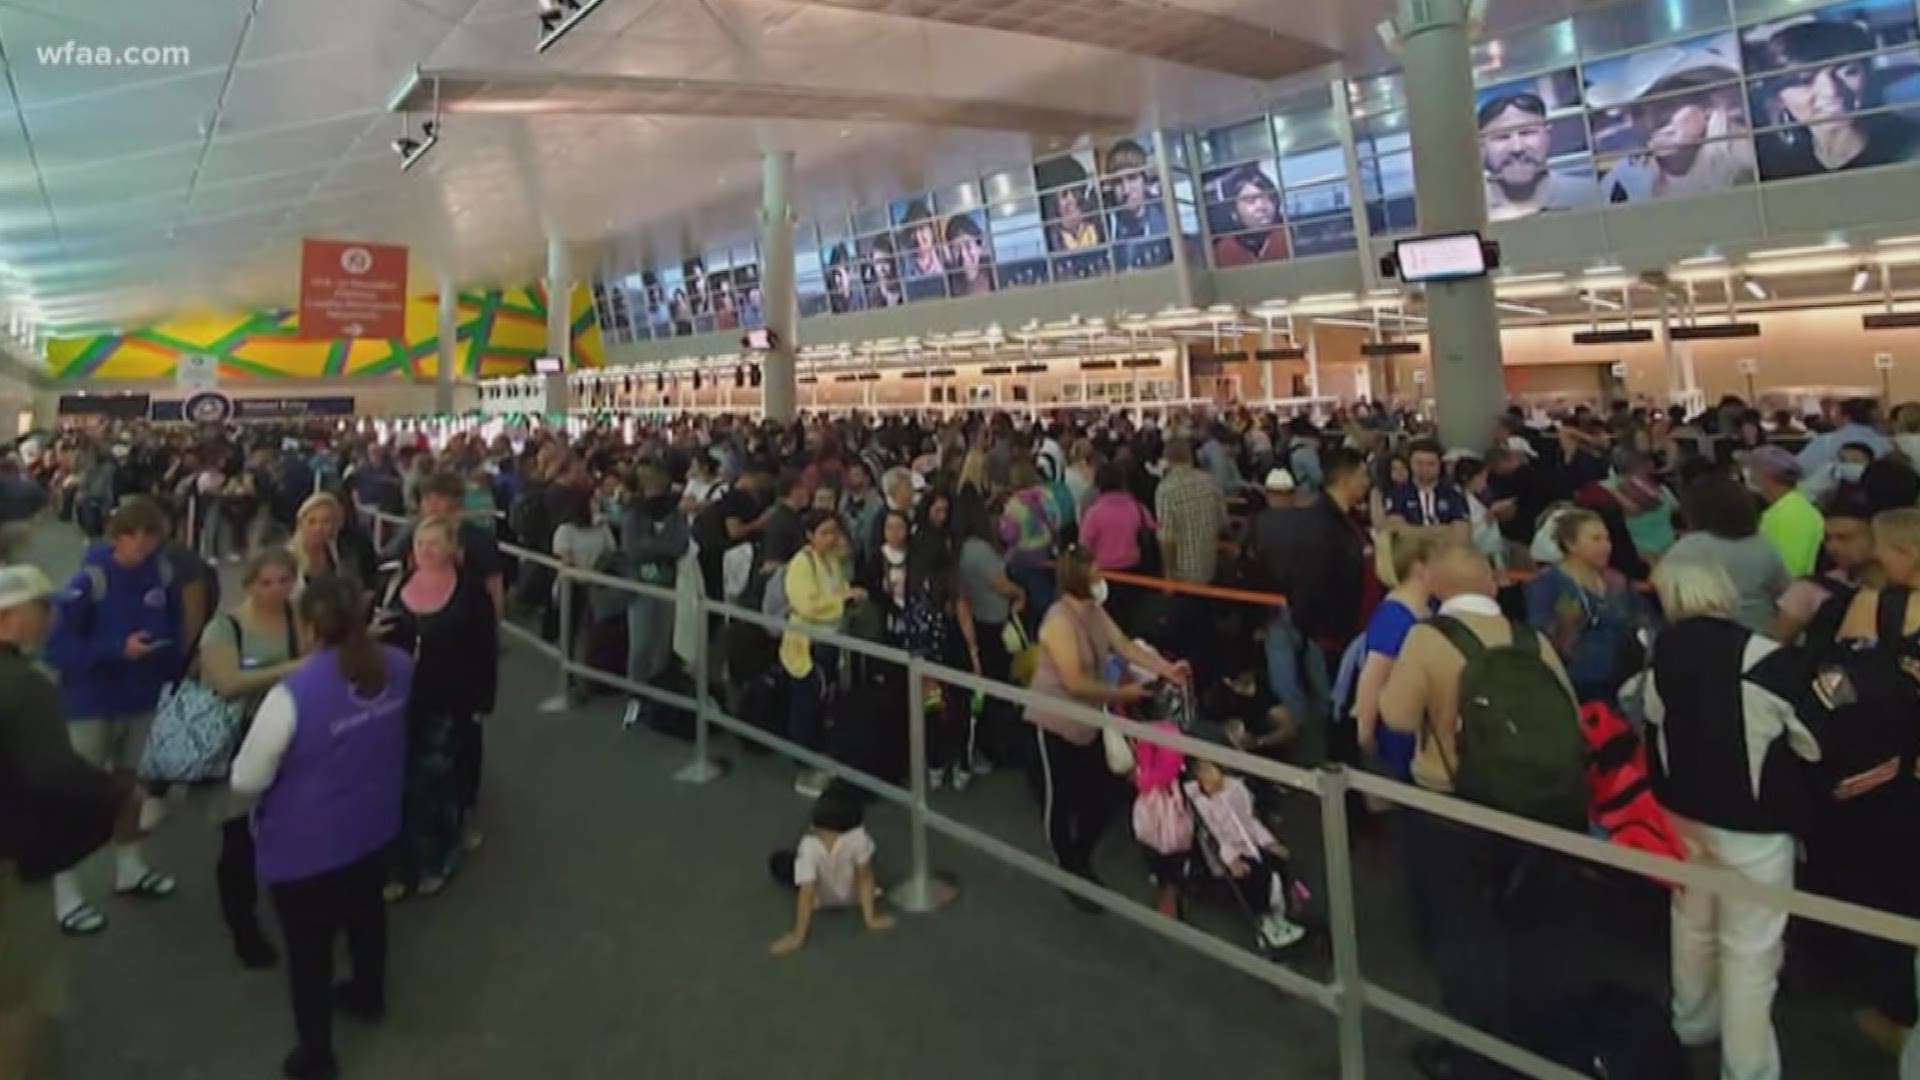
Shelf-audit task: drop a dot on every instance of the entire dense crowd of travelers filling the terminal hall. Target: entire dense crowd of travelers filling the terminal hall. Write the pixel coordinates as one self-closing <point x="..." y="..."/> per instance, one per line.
<point x="1733" y="589"/>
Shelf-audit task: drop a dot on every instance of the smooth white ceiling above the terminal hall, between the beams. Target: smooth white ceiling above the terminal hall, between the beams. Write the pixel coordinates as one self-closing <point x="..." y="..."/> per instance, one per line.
<point x="132" y="193"/>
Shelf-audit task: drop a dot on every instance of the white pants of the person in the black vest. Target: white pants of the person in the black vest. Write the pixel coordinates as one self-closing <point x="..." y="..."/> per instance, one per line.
<point x="1727" y="952"/>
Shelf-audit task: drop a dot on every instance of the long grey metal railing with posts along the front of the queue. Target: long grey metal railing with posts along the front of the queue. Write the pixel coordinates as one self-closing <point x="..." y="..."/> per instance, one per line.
<point x="1347" y="998"/>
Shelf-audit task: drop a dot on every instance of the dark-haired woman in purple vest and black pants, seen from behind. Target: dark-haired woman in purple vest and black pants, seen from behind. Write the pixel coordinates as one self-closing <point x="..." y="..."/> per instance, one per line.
<point x="327" y="760"/>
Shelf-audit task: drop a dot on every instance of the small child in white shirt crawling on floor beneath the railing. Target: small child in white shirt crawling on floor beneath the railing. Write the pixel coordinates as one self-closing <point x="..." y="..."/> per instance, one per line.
<point x="832" y="868"/>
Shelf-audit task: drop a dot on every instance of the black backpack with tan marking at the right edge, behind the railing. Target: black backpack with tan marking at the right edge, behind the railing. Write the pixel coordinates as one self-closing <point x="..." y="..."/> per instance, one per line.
<point x="1867" y="704"/>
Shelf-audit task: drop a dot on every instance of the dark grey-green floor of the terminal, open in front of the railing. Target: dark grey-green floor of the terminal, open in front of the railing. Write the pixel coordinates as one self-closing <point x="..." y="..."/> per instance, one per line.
<point x="617" y="925"/>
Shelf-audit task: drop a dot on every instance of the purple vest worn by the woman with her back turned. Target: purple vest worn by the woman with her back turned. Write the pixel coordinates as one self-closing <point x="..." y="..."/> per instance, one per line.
<point x="339" y="791"/>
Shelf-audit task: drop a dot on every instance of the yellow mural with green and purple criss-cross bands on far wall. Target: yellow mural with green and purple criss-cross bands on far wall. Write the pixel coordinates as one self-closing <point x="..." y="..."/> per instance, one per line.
<point x="500" y="331"/>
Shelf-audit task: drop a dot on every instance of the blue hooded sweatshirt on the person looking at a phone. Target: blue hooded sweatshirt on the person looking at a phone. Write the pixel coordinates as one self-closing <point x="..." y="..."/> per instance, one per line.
<point x="91" y="629"/>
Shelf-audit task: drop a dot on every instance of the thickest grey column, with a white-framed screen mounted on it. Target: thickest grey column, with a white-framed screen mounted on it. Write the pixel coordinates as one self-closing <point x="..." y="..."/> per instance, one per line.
<point x="1451" y="191"/>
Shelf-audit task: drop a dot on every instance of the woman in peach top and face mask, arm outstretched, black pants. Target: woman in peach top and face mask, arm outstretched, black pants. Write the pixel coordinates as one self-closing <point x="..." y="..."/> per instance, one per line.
<point x="1076" y="641"/>
